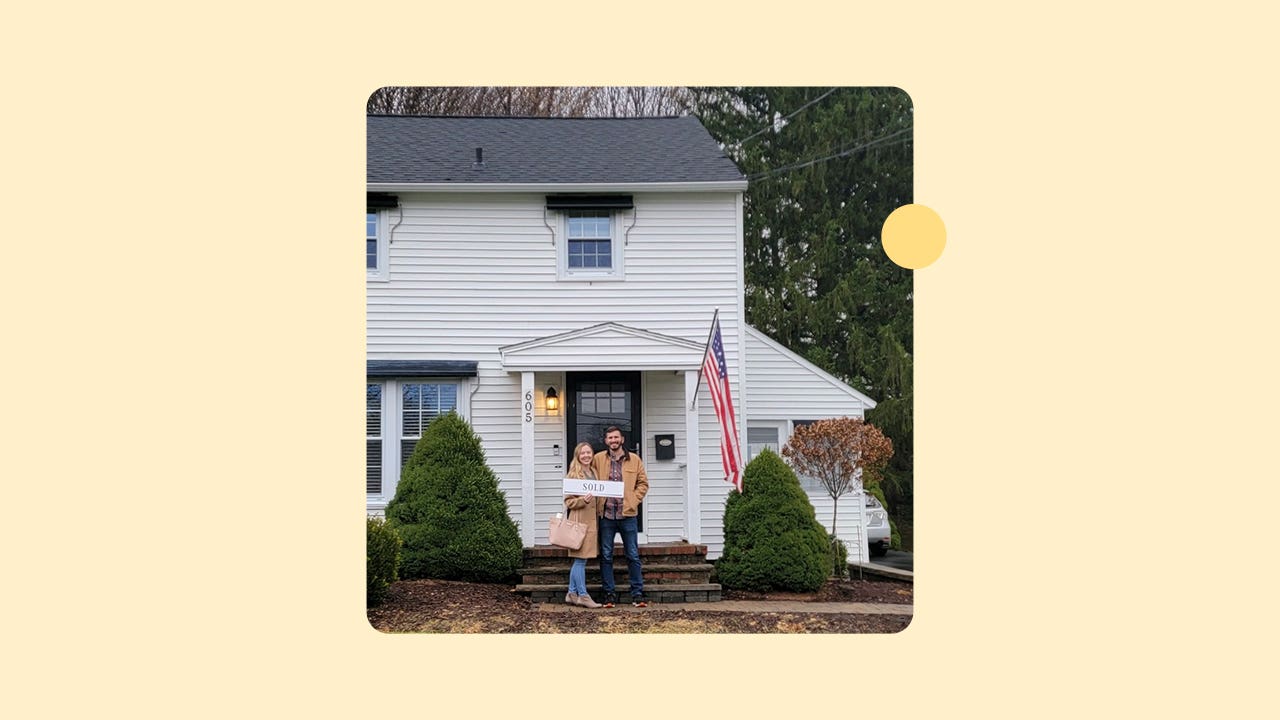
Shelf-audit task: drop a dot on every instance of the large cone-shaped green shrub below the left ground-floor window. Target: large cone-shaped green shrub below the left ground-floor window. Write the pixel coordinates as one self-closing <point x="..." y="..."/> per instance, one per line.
<point x="450" y="512"/>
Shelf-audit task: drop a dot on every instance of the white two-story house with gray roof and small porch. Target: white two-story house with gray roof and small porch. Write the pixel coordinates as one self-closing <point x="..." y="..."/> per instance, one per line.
<point x="514" y="259"/>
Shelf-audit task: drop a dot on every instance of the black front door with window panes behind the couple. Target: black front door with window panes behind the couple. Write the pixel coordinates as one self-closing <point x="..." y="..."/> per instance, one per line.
<point x="600" y="400"/>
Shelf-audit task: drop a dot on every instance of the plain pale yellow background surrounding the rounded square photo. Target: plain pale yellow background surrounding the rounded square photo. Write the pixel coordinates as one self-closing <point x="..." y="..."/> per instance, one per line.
<point x="1095" y="359"/>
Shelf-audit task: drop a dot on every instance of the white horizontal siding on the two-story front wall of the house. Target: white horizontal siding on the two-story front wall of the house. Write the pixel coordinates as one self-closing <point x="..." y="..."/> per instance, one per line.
<point x="473" y="274"/>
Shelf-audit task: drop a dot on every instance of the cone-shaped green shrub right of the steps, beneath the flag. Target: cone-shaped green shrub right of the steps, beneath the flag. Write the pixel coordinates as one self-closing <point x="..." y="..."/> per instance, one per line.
<point x="772" y="539"/>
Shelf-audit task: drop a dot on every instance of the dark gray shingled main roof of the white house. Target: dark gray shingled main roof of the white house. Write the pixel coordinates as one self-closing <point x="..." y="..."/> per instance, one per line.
<point x="414" y="149"/>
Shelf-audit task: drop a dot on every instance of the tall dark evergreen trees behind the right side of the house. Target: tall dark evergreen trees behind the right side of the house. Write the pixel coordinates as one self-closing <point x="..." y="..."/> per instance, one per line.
<point x="825" y="168"/>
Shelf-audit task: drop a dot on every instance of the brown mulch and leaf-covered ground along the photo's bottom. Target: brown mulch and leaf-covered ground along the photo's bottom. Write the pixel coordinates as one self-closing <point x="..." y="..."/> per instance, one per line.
<point x="447" y="607"/>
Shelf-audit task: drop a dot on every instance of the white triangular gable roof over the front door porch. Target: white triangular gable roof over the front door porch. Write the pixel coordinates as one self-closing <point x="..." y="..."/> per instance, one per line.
<point x="607" y="347"/>
